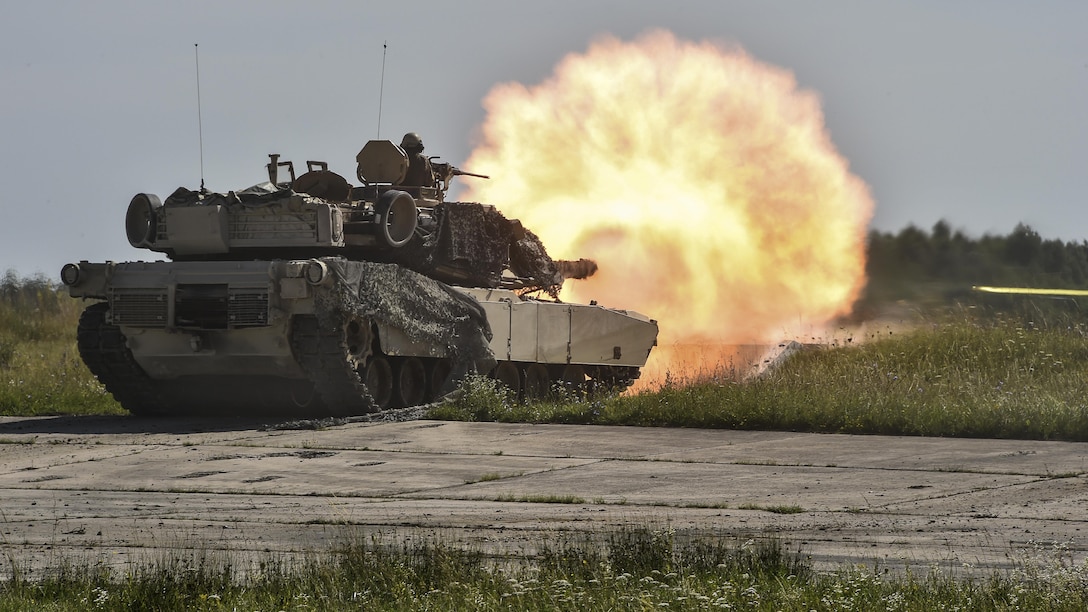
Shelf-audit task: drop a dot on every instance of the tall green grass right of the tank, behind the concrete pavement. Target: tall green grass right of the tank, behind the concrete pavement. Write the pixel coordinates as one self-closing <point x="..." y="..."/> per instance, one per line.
<point x="968" y="375"/>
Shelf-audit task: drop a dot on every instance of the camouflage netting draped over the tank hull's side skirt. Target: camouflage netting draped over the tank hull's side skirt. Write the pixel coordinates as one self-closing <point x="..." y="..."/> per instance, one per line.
<point x="425" y="310"/>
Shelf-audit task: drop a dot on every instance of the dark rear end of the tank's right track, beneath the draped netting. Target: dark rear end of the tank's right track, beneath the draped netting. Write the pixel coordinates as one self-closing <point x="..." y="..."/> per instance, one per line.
<point x="324" y="353"/>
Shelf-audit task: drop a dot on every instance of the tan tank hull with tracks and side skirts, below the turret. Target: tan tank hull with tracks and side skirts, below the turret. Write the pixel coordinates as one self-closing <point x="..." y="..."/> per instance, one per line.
<point x="331" y="337"/>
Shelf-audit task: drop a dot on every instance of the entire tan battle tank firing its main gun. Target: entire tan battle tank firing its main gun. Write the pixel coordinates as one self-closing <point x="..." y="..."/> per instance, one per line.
<point x="313" y="297"/>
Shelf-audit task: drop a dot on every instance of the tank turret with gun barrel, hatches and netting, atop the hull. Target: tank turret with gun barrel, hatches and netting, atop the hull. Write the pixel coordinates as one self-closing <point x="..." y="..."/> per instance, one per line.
<point x="322" y="215"/>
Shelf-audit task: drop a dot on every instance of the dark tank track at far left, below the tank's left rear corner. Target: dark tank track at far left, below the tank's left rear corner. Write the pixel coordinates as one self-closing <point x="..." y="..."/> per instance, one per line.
<point x="103" y="348"/>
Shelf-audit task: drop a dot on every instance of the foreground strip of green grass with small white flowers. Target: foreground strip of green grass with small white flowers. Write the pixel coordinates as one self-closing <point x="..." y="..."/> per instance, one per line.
<point x="629" y="569"/>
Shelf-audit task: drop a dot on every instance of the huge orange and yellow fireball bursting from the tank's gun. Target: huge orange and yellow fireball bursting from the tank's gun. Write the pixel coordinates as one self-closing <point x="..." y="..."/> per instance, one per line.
<point x="702" y="181"/>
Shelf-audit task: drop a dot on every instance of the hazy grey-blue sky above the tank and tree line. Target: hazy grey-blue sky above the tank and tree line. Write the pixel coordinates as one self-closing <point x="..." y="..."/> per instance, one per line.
<point x="974" y="113"/>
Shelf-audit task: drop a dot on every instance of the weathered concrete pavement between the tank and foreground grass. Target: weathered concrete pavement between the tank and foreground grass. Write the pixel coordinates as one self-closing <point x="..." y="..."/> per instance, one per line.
<point x="122" y="491"/>
